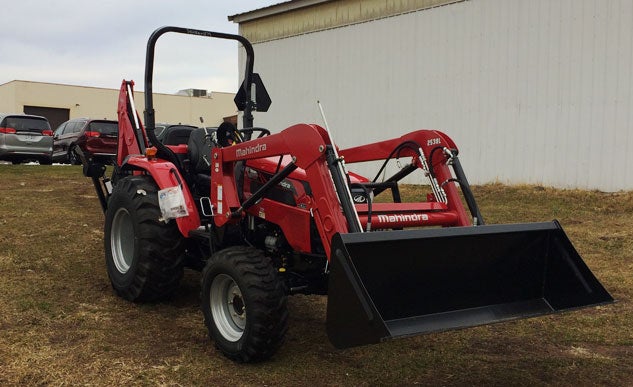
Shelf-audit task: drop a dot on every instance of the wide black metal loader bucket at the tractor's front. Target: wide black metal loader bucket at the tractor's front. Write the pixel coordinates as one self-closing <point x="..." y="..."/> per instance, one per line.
<point x="390" y="284"/>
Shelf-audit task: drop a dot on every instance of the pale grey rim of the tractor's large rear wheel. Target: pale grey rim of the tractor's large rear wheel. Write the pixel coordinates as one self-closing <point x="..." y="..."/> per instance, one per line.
<point x="122" y="240"/>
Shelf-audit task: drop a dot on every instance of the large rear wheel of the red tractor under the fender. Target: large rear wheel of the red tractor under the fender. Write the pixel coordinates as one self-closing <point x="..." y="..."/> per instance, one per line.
<point x="144" y="255"/>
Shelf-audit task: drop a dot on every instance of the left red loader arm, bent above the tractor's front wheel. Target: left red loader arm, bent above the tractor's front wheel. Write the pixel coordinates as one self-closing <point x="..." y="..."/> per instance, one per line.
<point x="308" y="146"/>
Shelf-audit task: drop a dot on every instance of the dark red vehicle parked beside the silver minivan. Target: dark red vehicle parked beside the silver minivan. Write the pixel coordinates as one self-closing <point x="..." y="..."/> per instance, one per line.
<point x="97" y="139"/>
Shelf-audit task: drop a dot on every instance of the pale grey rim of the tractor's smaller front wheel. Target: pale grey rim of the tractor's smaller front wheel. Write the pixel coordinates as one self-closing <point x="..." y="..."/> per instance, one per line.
<point x="227" y="307"/>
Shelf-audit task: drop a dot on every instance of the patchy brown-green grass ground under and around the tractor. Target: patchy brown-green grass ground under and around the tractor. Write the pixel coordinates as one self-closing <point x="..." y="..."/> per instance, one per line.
<point x="62" y="324"/>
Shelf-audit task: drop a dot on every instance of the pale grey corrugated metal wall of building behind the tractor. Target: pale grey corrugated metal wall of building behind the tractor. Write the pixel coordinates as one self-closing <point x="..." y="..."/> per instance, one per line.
<point x="537" y="91"/>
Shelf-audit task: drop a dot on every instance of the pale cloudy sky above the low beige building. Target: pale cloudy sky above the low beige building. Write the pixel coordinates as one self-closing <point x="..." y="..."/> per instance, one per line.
<point x="99" y="43"/>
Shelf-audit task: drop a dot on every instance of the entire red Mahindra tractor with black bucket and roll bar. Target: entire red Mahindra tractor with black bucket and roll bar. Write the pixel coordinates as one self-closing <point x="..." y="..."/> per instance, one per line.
<point x="264" y="216"/>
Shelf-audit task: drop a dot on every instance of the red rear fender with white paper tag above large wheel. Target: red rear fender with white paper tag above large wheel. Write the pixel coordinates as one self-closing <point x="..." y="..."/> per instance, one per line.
<point x="166" y="175"/>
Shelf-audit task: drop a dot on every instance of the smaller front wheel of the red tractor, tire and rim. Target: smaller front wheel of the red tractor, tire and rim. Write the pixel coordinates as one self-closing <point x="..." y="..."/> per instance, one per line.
<point x="244" y="304"/>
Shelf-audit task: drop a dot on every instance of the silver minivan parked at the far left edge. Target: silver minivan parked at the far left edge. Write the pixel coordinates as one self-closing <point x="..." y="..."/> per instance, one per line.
<point x="25" y="137"/>
